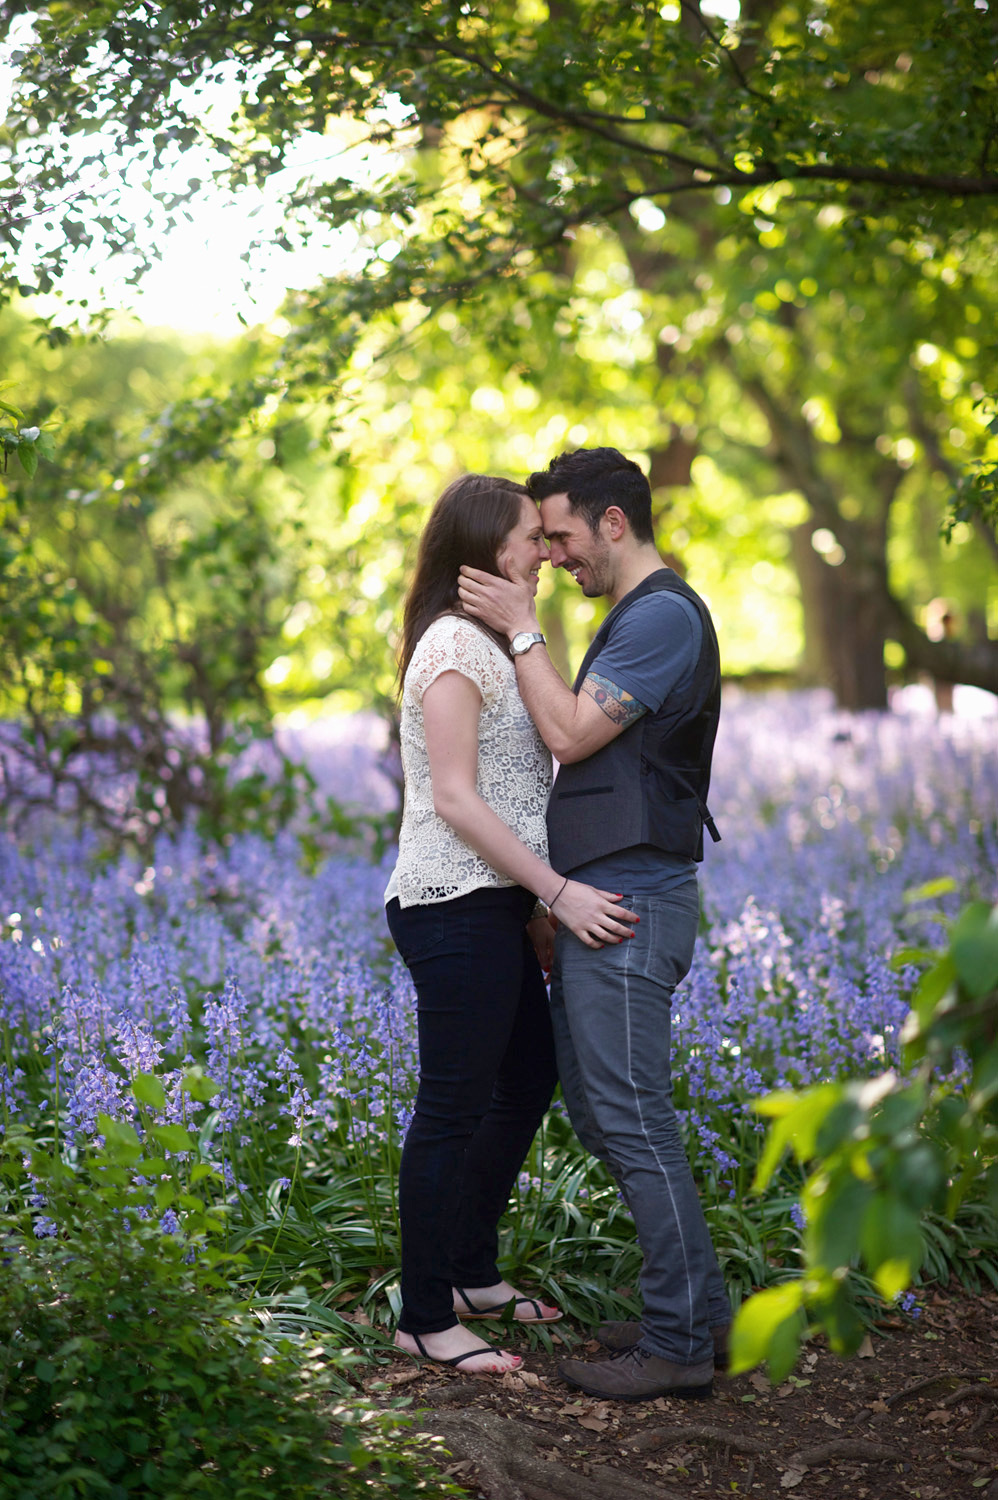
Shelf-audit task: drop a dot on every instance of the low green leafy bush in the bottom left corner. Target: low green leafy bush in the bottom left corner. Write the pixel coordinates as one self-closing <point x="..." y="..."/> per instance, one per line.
<point x="128" y="1369"/>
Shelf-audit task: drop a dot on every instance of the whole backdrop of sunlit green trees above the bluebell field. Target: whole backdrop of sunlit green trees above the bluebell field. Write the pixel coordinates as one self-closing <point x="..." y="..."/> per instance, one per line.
<point x="753" y="250"/>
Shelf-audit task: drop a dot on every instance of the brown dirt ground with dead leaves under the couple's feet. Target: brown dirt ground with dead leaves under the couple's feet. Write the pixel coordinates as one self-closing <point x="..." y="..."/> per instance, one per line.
<point x="915" y="1417"/>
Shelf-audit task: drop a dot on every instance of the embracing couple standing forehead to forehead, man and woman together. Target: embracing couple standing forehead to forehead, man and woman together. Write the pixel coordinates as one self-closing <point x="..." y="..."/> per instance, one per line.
<point x="504" y="878"/>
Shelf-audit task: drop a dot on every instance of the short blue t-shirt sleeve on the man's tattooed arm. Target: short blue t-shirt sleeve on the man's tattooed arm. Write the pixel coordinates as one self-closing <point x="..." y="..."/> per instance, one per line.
<point x="654" y="649"/>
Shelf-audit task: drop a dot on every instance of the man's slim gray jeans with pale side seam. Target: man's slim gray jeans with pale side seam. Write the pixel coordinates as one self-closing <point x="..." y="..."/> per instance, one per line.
<point x="612" y="1013"/>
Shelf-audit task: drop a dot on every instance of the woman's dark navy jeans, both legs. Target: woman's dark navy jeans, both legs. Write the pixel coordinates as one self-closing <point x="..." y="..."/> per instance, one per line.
<point x="487" y="1075"/>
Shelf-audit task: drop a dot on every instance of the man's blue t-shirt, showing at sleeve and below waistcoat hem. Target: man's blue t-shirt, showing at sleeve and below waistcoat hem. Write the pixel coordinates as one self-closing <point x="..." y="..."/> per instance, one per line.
<point x="652" y="653"/>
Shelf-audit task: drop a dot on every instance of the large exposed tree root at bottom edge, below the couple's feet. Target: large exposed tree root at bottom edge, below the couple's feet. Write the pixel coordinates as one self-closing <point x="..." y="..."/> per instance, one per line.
<point x="511" y="1468"/>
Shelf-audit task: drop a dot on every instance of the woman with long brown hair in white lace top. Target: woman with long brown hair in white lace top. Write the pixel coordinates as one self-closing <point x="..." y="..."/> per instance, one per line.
<point x="463" y="911"/>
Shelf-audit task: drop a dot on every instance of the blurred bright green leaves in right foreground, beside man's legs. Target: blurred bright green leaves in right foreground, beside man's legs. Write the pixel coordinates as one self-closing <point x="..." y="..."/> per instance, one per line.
<point x="883" y="1157"/>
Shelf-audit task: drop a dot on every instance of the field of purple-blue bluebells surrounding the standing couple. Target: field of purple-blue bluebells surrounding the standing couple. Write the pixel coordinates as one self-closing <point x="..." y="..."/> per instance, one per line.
<point x="284" y="989"/>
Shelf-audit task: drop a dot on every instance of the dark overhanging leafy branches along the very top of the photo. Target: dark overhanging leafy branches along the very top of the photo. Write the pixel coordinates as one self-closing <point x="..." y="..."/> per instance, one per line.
<point x="886" y="112"/>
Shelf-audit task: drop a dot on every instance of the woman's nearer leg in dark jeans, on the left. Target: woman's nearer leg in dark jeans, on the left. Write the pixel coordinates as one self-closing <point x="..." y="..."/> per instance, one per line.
<point x="467" y="965"/>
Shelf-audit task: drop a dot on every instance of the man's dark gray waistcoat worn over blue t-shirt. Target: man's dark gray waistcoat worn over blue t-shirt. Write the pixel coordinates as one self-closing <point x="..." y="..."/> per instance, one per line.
<point x="649" y="785"/>
